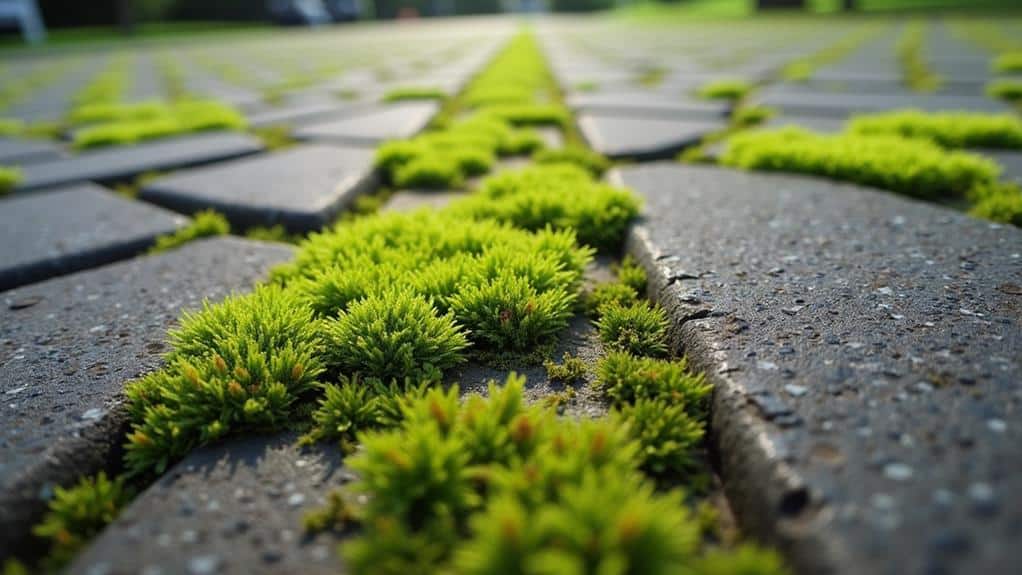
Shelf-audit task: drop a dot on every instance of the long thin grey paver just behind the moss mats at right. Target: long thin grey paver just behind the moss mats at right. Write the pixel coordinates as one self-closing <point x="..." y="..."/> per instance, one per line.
<point x="832" y="105"/>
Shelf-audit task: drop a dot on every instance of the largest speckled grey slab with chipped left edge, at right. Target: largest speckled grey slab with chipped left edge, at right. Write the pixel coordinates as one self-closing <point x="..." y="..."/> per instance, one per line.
<point x="865" y="351"/>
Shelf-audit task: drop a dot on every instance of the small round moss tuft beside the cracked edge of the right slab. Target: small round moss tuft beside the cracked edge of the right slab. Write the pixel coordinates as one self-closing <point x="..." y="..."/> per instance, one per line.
<point x="637" y="329"/>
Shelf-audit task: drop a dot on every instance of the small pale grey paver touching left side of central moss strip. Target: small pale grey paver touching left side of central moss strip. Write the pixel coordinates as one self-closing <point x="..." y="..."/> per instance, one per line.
<point x="375" y="125"/>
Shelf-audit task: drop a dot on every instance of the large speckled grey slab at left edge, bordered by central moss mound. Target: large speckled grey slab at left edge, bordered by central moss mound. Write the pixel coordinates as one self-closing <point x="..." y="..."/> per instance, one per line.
<point x="68" y="347"/>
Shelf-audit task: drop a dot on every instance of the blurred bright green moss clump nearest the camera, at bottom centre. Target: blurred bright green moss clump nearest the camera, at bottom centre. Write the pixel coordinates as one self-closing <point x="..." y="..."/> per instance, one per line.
<point x="491" y="486"/>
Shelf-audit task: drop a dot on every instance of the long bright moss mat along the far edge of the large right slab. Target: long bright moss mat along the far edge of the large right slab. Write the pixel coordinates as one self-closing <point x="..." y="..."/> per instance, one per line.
<point x="914" y="168"/>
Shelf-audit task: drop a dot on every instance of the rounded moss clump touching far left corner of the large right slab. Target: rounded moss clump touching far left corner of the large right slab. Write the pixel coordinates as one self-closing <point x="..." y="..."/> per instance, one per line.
<point x="561" y="197"/>
